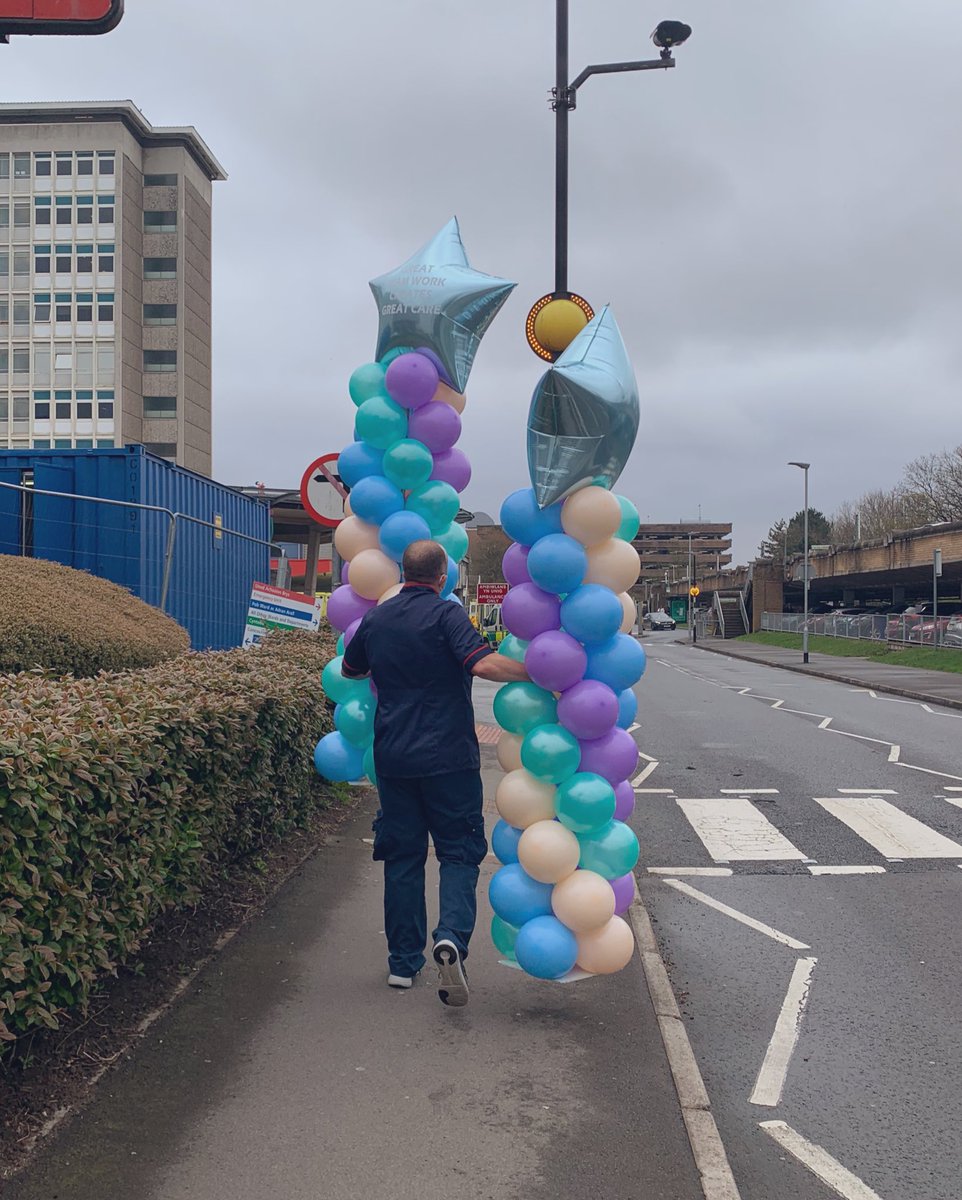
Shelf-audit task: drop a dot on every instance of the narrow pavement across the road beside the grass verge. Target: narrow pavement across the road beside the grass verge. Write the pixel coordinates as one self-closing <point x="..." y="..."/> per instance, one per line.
<point x="913" y="683"/>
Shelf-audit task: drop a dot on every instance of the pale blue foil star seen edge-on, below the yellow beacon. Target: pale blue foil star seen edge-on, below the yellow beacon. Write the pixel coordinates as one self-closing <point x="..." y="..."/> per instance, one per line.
<point x="585" y="415"/>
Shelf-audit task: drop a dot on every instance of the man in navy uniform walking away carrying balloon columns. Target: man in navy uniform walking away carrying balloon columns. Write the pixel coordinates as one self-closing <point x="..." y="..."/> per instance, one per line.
<point x="422" y="652"/>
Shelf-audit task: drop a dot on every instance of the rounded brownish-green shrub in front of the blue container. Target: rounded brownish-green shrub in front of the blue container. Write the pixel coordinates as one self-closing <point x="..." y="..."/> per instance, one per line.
<point x="75" y="623"/>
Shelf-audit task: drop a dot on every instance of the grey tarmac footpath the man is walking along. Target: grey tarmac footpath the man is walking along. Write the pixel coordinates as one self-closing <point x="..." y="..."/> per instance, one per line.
<point x="290" y="1070"/>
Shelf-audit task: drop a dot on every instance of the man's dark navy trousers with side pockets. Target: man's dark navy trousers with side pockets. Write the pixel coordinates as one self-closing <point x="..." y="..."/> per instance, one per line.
<point x="449" y="808"/>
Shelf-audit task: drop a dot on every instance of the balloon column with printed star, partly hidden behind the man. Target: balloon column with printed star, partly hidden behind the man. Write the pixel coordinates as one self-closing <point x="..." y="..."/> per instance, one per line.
<point x="404" y="470"/>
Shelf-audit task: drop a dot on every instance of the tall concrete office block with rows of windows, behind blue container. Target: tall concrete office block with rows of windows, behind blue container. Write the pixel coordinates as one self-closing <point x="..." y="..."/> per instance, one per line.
<point x="105" y="281"/>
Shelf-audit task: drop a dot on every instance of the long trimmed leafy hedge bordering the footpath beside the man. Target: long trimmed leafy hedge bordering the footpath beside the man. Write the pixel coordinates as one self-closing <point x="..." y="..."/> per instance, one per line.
<point x="121" y="797"/>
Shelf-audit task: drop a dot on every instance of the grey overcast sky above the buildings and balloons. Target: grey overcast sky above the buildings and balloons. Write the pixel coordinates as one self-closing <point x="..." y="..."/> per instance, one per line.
<point x="775" y="223"/>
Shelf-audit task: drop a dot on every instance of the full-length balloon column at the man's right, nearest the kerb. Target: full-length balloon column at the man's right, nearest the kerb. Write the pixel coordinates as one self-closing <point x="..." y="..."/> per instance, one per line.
<point x="566" y="746"/>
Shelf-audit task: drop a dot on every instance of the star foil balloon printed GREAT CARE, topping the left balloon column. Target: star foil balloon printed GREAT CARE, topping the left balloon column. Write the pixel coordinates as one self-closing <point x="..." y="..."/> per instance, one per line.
<point x="437" y="303"/>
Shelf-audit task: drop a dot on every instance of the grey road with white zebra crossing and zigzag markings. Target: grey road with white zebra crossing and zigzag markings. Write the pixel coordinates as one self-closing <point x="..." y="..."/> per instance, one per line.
<point x="827" y="1031"/>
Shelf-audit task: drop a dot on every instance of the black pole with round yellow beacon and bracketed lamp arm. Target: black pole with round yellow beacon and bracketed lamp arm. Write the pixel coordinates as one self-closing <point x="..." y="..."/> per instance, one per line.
<point x="557" y="319"/>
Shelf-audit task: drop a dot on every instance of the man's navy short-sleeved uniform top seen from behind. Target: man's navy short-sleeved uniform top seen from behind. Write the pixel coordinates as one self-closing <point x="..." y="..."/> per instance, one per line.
<point x="419" y="650"/>
